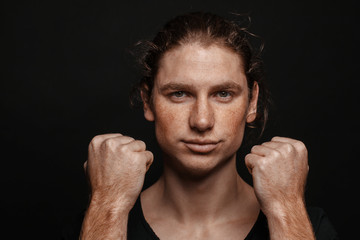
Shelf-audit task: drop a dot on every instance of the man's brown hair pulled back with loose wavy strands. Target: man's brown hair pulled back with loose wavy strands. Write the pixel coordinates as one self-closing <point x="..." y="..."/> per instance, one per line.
<point x="205" y="29"/>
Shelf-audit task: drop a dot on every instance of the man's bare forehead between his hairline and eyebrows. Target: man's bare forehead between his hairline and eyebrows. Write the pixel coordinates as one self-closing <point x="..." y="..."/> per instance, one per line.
<point x="203" y="65"/>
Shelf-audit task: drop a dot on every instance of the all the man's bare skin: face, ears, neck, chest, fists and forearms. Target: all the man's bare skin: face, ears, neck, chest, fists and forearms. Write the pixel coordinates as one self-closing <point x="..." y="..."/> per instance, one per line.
<point x="200" y="105"/>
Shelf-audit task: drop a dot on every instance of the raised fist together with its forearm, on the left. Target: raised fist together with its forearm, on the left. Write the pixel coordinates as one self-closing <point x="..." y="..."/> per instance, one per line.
<point x="116" y="168"/>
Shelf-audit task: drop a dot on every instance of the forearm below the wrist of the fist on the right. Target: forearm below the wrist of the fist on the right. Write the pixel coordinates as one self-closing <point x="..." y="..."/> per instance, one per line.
<point x="290" y="221"/>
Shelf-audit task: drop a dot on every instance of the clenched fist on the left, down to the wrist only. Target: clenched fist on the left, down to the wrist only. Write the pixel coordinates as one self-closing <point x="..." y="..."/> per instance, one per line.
<point x="116" y="168"/>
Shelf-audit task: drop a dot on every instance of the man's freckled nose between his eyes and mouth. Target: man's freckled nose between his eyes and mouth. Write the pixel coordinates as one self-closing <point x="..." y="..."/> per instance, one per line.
<point x="201" y="116"/>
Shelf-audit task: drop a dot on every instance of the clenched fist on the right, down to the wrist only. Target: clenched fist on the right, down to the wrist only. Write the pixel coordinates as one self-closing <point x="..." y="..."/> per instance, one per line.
<point x="279" y="169"/>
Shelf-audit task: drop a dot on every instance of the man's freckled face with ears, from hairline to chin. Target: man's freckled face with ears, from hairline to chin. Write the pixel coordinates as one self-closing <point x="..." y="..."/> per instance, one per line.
<point x="200" y="105"/>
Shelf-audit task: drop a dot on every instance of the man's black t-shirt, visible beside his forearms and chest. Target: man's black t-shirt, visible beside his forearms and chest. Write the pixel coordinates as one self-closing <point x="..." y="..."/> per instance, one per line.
<point x="139" y="229"/>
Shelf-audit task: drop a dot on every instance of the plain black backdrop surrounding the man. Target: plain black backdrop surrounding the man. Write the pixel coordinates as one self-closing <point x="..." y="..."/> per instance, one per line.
<point x="67" y="73"/>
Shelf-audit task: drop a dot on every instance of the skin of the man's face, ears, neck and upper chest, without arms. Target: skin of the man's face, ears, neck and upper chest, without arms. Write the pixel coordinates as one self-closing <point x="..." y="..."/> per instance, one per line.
<point x="200" y="95"/>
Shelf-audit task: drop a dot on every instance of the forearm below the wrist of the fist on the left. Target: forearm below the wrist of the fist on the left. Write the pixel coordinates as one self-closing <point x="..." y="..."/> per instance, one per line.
<point x="104" y="222"/>
